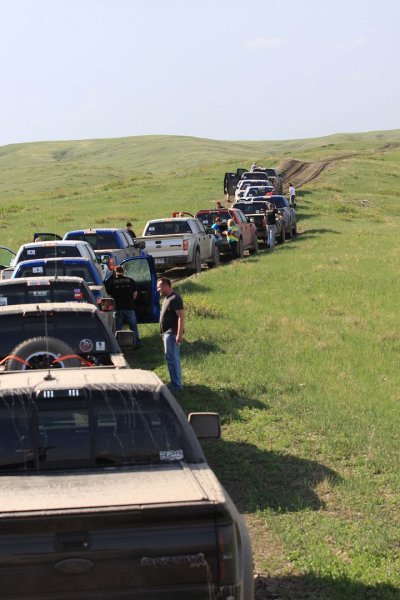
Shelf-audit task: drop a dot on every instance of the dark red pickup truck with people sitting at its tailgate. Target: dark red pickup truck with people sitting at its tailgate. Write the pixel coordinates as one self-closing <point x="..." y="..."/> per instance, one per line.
<point x="248" y="231"/>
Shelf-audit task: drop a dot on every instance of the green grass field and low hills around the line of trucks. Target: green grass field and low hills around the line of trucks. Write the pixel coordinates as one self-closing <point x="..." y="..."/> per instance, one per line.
<point x="297" y="350"/>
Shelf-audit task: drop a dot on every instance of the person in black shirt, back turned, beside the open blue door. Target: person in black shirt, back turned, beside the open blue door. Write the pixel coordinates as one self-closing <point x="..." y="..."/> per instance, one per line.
<point x="124" y="291"/>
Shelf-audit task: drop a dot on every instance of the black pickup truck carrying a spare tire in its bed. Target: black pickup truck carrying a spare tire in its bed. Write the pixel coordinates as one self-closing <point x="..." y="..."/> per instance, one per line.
<point x="56" y="334"/>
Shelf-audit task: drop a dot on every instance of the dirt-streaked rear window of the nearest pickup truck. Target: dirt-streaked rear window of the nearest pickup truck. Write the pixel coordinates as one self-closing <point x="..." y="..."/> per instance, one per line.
<point x="91" y="429"/>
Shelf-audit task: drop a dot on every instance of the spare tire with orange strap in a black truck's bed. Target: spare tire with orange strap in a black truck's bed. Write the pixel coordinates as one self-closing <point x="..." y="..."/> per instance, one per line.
<point x="40" y="353"/>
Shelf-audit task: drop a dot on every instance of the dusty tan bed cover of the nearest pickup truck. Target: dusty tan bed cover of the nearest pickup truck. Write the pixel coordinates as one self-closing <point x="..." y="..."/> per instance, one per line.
<point x="109" y="489"/>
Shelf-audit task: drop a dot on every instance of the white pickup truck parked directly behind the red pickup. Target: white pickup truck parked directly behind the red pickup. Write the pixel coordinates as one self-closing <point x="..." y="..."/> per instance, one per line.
<point x="180" y="241"/>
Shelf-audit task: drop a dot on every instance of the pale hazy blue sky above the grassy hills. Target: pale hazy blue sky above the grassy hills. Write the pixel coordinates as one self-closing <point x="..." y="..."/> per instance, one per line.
<point x="218" y="69"/>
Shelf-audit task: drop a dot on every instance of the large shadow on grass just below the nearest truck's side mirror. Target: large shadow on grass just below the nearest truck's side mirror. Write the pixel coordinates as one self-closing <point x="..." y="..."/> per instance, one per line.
<point x="258" y="480"/>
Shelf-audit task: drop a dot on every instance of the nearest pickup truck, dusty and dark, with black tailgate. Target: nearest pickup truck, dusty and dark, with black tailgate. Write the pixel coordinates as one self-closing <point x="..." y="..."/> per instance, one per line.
<point x="106" y="493"/>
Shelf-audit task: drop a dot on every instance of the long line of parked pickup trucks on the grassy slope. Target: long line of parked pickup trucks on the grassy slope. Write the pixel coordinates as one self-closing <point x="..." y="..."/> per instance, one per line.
<point x="105" y="491"/>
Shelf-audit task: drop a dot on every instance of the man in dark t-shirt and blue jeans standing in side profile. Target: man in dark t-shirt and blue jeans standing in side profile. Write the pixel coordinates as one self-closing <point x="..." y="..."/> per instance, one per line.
<point x="172" y="321"/>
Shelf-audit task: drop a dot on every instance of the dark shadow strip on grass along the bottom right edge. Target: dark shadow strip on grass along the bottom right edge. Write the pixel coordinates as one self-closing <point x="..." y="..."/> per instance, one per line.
<point x="313" y="587"/>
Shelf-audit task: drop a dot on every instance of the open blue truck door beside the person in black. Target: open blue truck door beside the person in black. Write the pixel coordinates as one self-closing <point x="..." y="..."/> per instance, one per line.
<point x="143" y="271"/>
